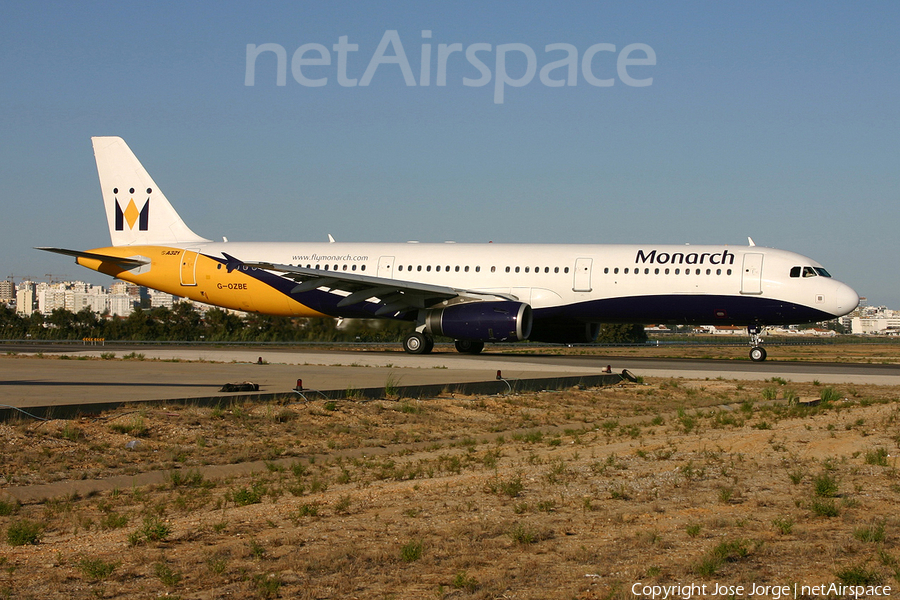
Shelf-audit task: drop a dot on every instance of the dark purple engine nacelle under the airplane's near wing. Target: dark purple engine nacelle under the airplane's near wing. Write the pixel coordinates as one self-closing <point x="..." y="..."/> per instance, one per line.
<point x="501" y="321"/>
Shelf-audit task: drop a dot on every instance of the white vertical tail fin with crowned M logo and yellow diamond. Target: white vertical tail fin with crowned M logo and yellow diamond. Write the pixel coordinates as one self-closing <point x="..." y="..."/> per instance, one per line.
<point x="137" y="211"/>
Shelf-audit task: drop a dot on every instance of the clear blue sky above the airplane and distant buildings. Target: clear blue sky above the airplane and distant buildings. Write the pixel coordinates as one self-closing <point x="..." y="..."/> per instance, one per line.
<point x="773" y="120"/>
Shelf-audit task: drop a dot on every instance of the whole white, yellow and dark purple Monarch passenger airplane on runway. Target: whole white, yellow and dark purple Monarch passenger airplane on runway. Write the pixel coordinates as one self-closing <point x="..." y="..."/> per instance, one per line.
<point x="473" y="292"/>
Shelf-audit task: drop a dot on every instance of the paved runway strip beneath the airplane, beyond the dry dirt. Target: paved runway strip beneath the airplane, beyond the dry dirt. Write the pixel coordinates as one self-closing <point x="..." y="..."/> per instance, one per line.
<point x="179" y="373"/>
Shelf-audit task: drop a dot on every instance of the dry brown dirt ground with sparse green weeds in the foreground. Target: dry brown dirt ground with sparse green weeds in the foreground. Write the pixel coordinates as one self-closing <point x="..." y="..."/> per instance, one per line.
<point x="595" y="493"/>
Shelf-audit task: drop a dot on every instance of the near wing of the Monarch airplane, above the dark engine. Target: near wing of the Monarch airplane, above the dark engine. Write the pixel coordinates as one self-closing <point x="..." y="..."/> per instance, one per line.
<point x="393" y="295"/>
